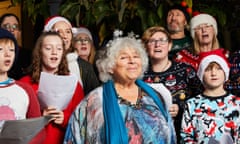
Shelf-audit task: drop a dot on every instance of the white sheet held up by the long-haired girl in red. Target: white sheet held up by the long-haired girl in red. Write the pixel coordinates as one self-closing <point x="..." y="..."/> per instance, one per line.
<point x="56" y="90"/>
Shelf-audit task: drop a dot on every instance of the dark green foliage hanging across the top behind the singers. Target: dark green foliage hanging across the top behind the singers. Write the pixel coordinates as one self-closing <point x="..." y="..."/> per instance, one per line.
<point x="103" y="16"/>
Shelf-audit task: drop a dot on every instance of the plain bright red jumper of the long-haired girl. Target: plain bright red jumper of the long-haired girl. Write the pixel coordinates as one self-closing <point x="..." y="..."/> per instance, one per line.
<point x="54" y="132"/>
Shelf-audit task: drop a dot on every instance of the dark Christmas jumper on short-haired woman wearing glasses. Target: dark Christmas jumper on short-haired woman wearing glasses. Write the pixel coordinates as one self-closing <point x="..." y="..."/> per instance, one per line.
<point x="182" y="81"/>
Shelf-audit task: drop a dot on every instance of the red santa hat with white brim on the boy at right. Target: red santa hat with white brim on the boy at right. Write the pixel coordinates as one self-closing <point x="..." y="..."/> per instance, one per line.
<point x="205" y="58"/>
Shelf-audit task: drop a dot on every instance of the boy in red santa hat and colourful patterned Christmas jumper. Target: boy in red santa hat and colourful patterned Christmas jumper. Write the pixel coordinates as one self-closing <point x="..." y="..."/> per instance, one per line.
<point x="214" y="115"/>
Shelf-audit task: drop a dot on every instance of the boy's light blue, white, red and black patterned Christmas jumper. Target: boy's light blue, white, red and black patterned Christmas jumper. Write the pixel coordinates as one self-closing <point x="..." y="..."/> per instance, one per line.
<point x="211" y="119"/>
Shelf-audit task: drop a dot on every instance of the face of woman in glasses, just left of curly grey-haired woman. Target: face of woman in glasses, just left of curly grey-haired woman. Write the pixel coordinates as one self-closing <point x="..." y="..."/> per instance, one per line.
<point x="82" y="44"/>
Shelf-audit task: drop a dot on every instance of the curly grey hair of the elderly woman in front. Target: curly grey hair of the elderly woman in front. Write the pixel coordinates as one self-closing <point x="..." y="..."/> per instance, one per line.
<point x="107" y="57"/>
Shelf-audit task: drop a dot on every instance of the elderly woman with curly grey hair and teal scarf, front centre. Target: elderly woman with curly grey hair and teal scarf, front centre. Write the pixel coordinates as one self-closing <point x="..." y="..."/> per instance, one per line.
<point x="124" y="110"/>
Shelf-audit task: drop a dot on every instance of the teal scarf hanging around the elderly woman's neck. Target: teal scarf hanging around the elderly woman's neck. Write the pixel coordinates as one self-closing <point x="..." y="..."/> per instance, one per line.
<point x="115" y="129"/>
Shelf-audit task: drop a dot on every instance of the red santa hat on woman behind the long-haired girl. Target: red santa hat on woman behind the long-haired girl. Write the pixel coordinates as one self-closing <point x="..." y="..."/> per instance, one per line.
<point x="54" y="19"/>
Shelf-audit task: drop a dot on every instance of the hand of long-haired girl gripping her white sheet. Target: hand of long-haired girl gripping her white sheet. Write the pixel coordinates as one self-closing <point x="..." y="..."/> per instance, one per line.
<point x="57" y="115"/>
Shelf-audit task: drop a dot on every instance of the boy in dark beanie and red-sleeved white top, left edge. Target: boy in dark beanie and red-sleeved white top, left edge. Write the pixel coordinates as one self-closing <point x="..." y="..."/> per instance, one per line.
<point x="17" y="100"/>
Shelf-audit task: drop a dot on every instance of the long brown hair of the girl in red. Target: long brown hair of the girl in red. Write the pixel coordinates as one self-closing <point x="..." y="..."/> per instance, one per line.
<point x="37" y="58"/>
